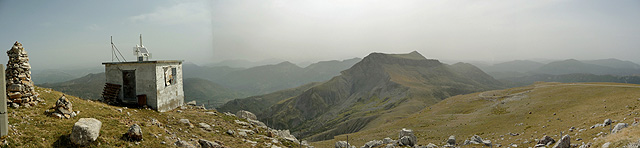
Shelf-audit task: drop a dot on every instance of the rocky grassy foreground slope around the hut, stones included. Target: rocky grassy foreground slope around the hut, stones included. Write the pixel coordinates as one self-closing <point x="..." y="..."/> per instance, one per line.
<point x="187" y="126"/>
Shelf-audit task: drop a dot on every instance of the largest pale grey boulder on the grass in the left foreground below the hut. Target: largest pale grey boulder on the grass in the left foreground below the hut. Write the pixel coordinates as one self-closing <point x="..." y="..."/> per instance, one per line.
<point x="85" y="131"/>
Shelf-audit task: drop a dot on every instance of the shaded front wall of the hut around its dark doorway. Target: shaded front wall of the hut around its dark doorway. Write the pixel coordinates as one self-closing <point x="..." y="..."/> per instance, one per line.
<point x="145" y="75"/>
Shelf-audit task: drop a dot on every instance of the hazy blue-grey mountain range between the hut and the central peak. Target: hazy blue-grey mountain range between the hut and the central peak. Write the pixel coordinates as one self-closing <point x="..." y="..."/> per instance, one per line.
<point x="268" y="78"/>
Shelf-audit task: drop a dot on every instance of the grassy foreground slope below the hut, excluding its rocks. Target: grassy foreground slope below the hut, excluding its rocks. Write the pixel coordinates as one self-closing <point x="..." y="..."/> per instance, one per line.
<point x="31" y="127"/>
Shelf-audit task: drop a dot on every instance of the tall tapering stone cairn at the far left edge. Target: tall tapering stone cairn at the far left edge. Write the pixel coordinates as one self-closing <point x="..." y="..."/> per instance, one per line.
<point x="20" y="89"/>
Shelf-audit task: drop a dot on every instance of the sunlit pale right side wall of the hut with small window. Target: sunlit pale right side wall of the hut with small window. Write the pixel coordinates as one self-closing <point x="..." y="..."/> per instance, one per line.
<point x="172" y="95"/>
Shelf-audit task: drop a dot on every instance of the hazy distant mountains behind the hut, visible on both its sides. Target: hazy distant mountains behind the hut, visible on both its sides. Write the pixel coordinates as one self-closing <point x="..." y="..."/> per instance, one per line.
<point x="214" y="86"/>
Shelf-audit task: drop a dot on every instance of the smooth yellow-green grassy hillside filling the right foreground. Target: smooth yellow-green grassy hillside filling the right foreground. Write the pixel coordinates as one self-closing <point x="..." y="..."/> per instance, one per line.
<point x="531" y="112"/>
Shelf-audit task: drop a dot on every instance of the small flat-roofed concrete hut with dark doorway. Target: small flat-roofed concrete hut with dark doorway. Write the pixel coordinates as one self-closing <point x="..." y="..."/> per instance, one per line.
<point x="157" y="84"/>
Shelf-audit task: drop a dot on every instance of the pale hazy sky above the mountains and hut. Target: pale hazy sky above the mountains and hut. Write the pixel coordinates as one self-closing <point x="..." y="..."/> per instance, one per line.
<point x="76" y="33"/>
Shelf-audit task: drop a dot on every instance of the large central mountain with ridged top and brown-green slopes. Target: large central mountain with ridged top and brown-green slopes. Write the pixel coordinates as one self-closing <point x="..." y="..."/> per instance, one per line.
<point x="378" y="88"/>
